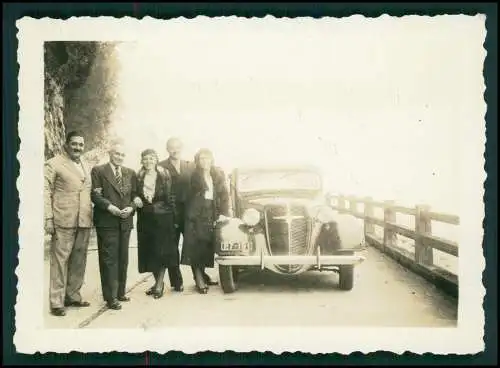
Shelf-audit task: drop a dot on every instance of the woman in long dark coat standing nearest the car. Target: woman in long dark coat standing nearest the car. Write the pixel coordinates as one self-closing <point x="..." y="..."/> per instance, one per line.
<point x="208" y="202"/>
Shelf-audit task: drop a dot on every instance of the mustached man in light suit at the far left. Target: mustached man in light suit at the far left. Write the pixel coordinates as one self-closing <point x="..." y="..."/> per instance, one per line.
<point x="68" y="217"/>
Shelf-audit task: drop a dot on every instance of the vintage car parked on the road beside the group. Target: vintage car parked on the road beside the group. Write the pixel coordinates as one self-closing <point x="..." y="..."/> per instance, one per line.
<point x="282" y="221"/>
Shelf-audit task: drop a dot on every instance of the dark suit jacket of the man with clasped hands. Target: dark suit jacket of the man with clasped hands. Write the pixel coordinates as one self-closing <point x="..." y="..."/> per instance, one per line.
<point x="105" y="191"/>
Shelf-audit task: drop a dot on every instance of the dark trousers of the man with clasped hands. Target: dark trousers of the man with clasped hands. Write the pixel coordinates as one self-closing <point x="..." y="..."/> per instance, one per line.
<point x="112" y="244"/>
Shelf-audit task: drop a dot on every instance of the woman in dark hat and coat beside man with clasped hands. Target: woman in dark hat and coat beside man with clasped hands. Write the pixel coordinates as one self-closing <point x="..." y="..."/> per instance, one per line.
<point x="155" y="222"/>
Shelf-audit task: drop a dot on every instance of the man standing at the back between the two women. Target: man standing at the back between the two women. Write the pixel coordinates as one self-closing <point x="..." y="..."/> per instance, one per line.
<point x="180" y="171"/>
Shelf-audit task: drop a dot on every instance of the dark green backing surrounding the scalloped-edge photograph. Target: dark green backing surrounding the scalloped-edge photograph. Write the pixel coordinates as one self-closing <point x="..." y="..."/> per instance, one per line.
<point x="10" y="168"/>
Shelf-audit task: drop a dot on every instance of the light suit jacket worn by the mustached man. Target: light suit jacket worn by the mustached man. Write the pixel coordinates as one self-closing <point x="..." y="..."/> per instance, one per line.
<point x="67" y="193"/>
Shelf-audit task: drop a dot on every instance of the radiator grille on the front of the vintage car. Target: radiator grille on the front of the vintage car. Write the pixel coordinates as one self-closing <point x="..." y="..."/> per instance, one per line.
<point x="287" y="237"/>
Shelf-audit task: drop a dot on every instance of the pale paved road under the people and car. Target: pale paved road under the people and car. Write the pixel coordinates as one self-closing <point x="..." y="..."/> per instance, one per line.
<point x="385" y="295"/>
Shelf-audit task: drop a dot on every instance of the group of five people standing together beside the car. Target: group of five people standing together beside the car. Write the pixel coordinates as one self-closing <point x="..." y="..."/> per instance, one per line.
<point x="170" y="198"/>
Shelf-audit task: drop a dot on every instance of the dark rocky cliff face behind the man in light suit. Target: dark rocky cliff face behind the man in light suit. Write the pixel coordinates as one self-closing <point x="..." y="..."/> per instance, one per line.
<point x="80" y="80"/>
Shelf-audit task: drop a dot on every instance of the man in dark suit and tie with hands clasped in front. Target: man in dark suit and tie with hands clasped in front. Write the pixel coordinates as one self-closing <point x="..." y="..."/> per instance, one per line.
<point x="114" y="194"/>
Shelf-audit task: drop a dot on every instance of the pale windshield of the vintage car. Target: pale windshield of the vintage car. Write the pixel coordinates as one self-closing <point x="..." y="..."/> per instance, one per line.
<point x="278" y="180"/>
